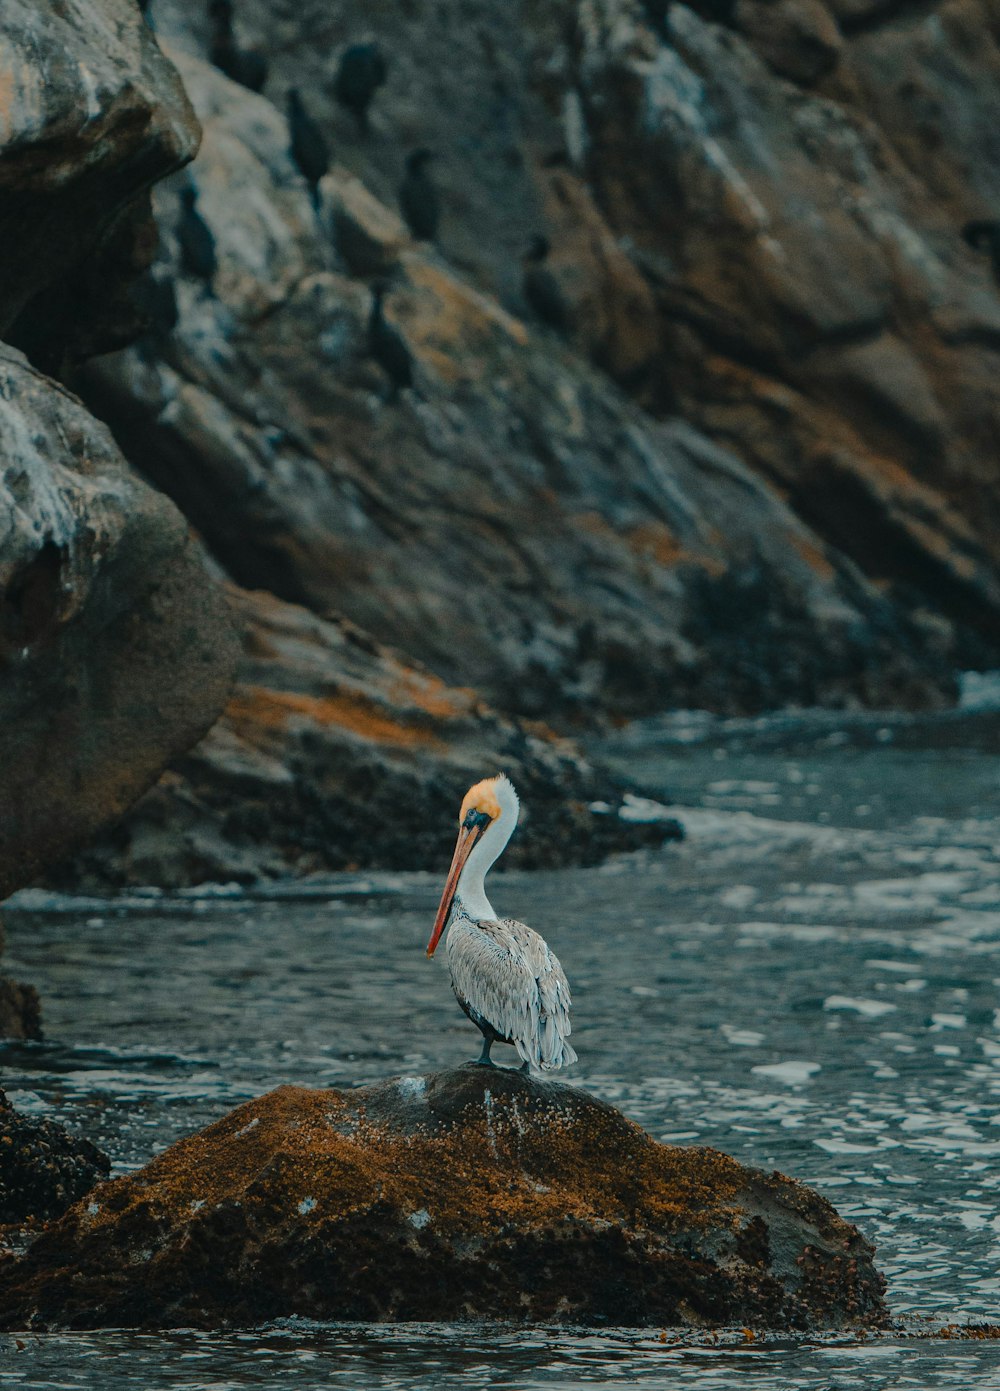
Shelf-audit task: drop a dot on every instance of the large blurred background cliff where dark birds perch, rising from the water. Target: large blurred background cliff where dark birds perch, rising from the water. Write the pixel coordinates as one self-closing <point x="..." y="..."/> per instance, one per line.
<point x="757" y="468"/>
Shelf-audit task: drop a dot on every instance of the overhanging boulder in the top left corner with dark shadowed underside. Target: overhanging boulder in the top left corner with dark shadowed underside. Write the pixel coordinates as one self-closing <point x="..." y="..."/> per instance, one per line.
<point x="92" y="115"/>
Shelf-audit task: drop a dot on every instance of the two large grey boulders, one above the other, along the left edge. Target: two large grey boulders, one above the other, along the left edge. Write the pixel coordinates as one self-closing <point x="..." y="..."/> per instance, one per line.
<point x="116" y="650"/>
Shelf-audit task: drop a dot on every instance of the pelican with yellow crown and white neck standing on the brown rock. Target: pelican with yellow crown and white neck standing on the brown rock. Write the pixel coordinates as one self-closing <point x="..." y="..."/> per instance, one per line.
<point x="504" y="976"/>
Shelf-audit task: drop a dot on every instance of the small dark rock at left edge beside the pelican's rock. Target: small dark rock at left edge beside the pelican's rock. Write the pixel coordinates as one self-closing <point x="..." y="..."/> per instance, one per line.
<point x="44" y="1169"/>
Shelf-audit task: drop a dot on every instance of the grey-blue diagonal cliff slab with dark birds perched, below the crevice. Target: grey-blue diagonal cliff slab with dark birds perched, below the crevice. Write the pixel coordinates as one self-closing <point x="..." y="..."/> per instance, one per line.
<point x="514" y="522"/>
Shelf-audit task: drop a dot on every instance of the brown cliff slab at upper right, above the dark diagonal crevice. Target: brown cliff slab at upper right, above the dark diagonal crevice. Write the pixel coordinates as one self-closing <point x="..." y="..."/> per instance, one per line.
<point x="813" y="286"/>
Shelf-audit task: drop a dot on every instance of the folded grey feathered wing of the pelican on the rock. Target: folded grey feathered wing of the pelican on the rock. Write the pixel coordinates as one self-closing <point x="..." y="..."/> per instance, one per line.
<point x="508" y="976"/>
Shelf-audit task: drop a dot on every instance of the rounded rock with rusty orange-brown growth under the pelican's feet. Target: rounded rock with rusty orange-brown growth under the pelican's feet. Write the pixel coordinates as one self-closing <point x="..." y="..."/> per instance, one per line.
<point x="467" y="1194"/>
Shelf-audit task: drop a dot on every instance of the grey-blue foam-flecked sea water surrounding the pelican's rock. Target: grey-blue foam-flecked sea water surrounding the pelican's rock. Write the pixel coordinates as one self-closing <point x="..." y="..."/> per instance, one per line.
<point x="809" y="983"/>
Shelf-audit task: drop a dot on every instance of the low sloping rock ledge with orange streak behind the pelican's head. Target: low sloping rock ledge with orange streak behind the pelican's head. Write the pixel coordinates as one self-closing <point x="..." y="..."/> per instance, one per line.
<point x="334" y="753"/>
